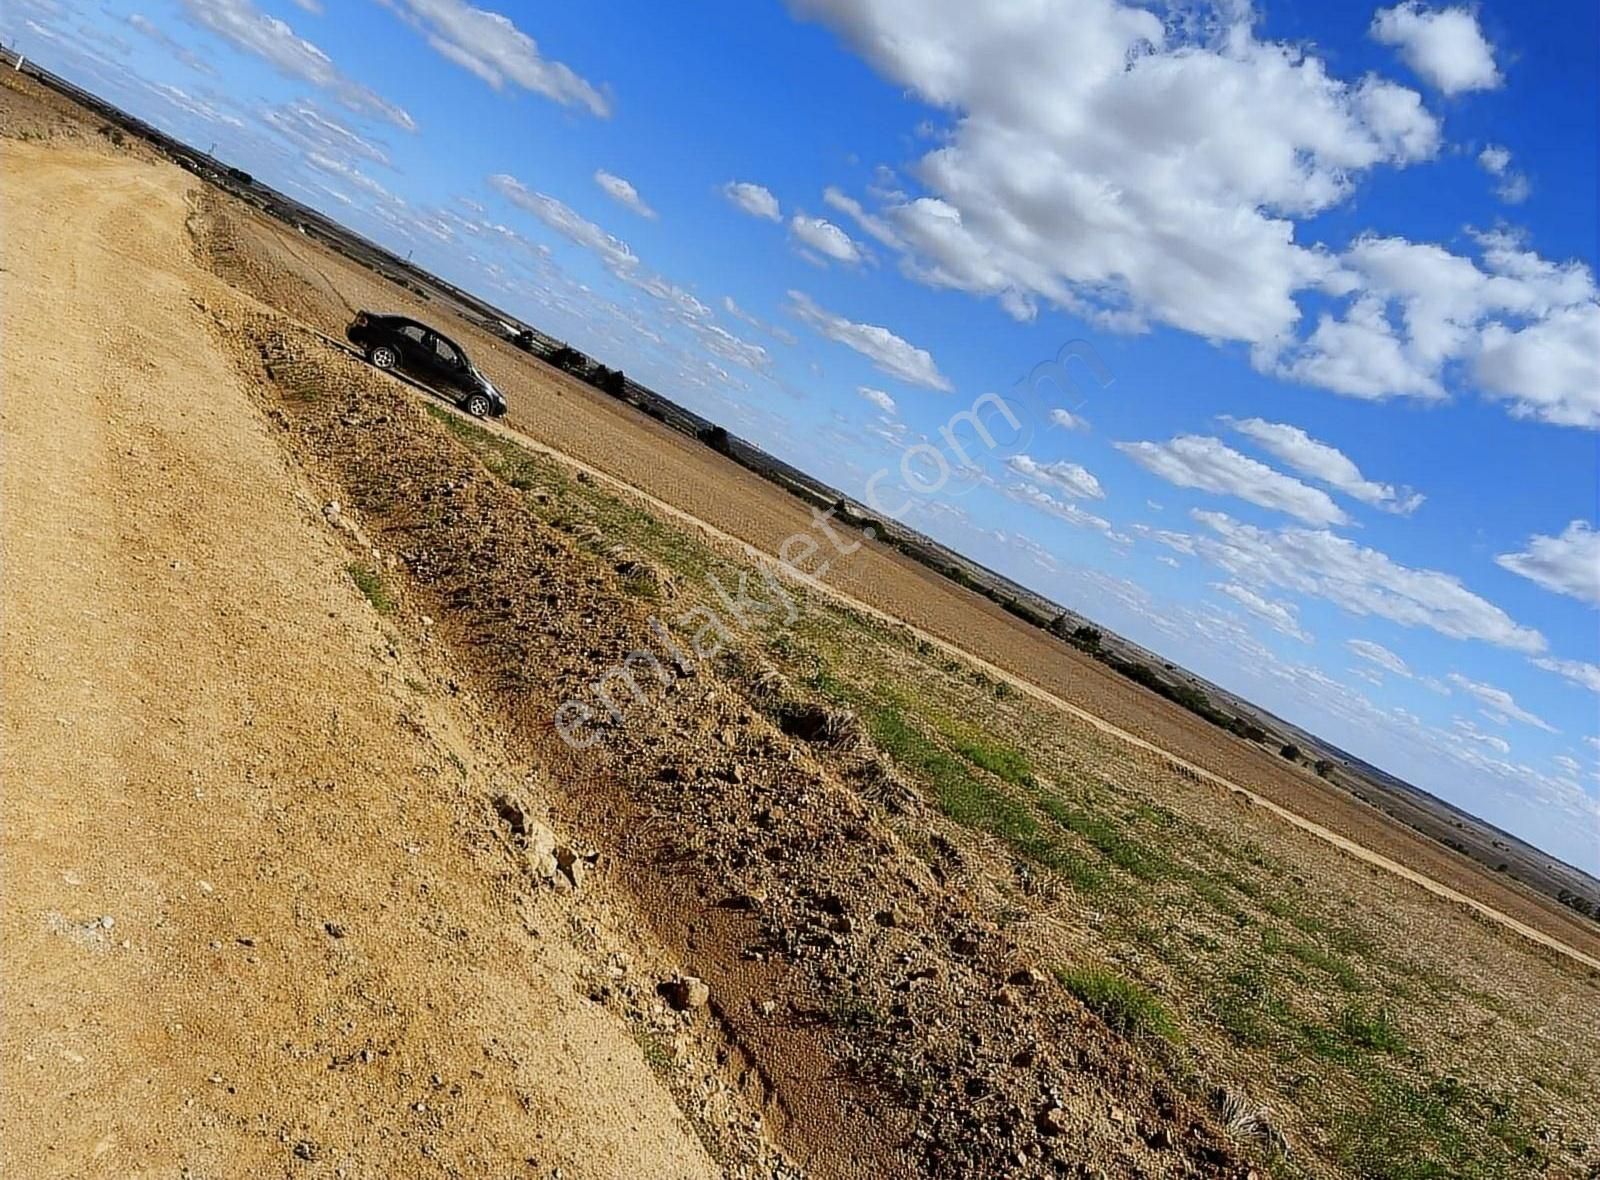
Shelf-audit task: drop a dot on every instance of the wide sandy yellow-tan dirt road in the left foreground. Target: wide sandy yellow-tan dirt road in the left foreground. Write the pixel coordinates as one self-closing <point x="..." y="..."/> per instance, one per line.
<point x="255" y="922"/>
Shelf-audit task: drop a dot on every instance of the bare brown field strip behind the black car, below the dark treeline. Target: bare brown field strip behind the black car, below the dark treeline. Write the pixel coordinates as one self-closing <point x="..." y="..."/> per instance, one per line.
<point x="695" y="484"/>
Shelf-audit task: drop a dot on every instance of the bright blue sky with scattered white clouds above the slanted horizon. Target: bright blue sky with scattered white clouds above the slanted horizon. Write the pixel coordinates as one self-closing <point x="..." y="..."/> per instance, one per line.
<point x="1337" y="261"/>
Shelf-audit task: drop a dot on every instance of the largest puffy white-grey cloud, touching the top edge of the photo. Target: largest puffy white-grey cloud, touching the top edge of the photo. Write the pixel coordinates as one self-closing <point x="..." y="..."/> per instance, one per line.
<point x="1158" y="178"/>
